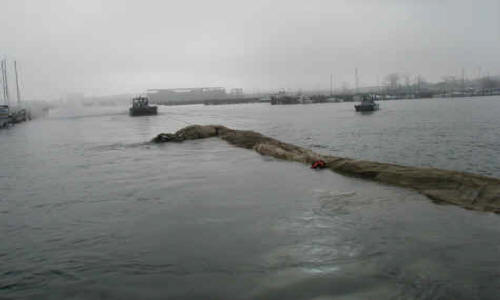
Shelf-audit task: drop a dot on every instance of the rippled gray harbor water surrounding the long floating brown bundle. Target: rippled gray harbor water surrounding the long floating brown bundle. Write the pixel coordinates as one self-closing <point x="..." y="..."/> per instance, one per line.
<point x="90" y="210"/>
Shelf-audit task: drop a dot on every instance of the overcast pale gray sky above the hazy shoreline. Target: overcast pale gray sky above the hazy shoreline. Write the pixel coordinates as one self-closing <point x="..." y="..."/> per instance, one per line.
<point x="102" y="47"/>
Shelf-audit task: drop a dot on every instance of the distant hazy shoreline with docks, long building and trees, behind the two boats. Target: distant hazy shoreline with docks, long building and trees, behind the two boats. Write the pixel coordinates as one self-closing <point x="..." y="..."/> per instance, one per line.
<point x="392" y="89"/>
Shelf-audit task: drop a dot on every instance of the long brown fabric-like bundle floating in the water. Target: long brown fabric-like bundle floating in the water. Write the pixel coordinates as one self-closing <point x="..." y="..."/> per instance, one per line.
<point x="470" y="191"/>
